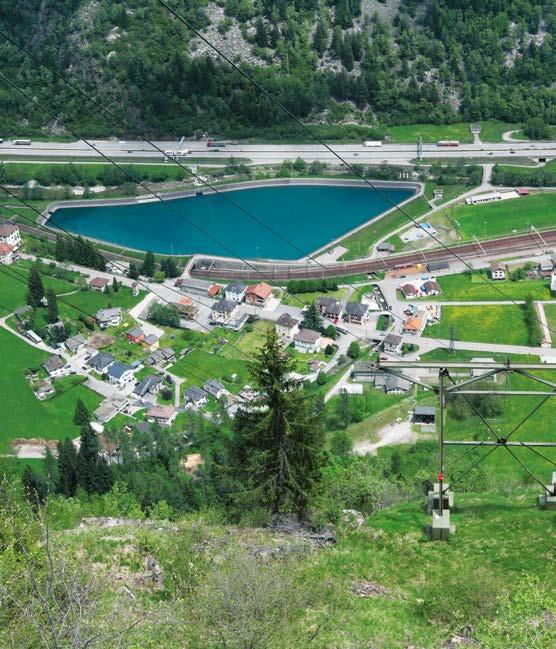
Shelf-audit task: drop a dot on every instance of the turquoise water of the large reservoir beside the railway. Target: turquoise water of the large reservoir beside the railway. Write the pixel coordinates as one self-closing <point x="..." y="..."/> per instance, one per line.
<point x="307" y="216"/>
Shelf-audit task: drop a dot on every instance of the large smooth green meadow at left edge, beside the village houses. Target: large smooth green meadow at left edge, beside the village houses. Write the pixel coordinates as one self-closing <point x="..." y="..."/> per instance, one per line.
<point x="23" y="414"/>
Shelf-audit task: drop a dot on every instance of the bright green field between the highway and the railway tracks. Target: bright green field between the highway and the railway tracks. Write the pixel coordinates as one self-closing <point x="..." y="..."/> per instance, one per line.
<point x="505" y="217"/>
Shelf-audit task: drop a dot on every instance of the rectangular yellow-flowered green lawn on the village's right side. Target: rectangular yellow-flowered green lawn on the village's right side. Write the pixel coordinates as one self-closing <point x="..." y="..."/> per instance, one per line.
<point x="498" y="324"/>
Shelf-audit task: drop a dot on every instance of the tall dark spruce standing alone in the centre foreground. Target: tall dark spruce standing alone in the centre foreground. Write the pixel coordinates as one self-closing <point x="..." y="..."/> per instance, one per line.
<point x="279" y="447"/>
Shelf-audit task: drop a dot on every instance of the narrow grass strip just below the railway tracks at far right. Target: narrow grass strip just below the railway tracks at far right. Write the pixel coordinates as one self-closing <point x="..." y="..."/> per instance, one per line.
<point x="464" y="287"/>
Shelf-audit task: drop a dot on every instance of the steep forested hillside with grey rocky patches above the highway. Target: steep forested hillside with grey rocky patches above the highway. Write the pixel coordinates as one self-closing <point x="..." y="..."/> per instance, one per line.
<point x="375" y="62"/>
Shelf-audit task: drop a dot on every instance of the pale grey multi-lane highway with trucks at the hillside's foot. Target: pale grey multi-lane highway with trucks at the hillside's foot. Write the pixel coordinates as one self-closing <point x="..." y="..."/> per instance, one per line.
<point x="276" y="153"/>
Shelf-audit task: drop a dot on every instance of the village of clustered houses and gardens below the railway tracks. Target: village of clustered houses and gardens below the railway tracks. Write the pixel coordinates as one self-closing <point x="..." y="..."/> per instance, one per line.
<point x="148" y="350"/>
